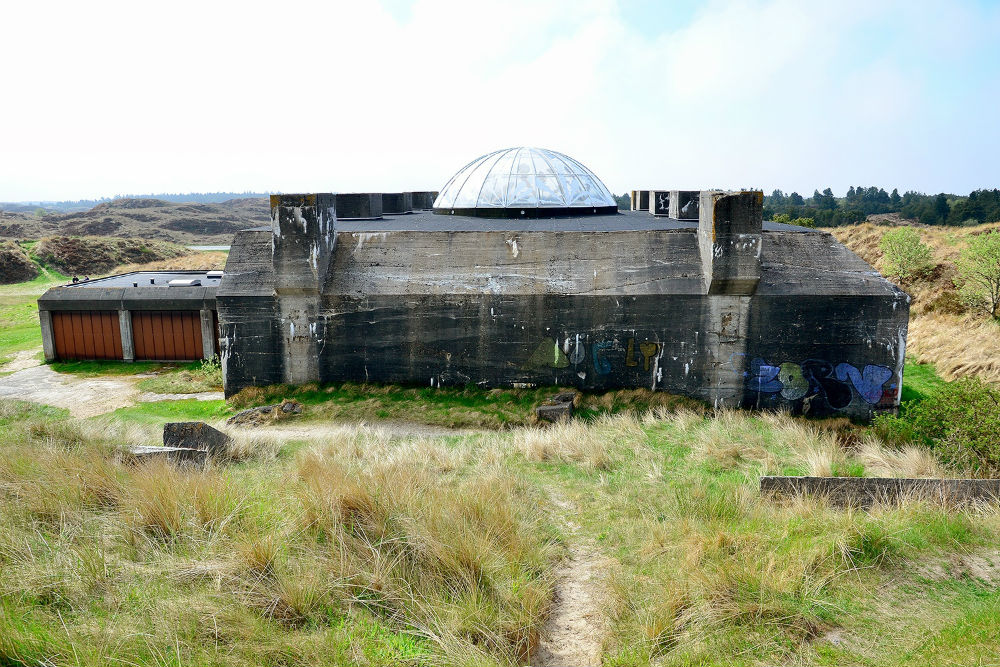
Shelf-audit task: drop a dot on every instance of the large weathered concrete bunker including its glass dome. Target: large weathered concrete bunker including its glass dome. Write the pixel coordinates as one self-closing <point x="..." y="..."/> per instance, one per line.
<point x="526" y="273"/>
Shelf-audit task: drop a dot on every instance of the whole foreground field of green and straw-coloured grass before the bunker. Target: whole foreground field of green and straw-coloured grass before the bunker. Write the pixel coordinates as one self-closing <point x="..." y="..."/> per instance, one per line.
<point x="357" y="547"/>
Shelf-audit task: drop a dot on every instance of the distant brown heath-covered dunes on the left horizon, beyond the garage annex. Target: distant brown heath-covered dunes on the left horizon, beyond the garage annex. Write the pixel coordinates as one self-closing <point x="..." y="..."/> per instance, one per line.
<point x="211" y="223"/>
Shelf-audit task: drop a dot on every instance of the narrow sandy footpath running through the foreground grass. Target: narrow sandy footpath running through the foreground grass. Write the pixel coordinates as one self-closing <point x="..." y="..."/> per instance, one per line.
<point x="574" y="631"/>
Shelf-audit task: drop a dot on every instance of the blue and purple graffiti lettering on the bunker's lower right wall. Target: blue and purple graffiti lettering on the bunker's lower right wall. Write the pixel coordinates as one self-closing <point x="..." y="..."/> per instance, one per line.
<point x="816" y="378"/>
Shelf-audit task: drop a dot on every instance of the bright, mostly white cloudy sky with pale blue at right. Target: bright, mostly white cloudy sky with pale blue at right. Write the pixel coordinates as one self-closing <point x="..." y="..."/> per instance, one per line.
<point x="103" y="98"/>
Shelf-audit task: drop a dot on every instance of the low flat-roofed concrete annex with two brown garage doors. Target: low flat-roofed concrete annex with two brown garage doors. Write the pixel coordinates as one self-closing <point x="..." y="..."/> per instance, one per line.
<point x="146" y="315"/>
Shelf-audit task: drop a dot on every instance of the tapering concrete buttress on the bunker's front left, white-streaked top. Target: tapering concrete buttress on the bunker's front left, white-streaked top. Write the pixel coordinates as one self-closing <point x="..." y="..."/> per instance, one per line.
<point x="304" y="236"/>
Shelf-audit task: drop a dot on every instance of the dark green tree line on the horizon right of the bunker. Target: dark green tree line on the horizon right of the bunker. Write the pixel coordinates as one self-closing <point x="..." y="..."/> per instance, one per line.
<point x="826" y="210"/>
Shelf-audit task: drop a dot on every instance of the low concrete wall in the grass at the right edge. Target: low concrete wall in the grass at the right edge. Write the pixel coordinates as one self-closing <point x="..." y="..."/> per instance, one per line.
<point x="864" y="491"/>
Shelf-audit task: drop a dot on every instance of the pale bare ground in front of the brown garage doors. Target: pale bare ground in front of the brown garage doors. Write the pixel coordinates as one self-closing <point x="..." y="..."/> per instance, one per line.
<point x="83" y="397"/>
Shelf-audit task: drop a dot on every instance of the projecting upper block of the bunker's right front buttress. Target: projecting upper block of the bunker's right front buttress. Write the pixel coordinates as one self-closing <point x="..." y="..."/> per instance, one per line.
<point x="729" y="241"/>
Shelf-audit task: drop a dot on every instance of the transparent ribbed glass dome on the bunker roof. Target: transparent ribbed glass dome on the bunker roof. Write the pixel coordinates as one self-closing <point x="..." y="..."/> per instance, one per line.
<point x="524" y="182"/>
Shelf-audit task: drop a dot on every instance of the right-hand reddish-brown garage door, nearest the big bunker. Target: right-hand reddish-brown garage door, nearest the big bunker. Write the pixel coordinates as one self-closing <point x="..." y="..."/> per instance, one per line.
<point x="167" y="335"/>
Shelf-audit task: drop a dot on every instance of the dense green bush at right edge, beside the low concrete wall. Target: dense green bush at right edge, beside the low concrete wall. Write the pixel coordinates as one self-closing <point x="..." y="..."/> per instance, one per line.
<point x="960" y="422"/>
